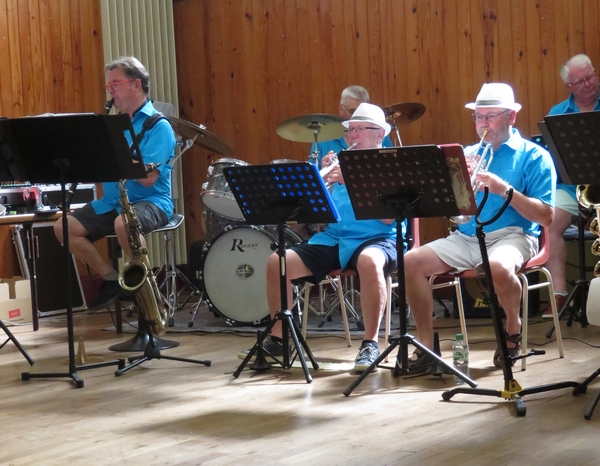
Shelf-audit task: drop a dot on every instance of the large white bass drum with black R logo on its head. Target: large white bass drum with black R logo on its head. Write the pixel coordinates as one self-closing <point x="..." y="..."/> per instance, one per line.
<point x="233" y="271"/>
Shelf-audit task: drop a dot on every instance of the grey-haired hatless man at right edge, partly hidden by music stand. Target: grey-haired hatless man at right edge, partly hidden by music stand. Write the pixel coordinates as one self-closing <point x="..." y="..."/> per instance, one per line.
<point x="580" y="79"/>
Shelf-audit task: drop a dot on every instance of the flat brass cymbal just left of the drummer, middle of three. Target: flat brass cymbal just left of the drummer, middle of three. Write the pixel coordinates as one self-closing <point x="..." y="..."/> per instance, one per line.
<point x="302" y="128"/>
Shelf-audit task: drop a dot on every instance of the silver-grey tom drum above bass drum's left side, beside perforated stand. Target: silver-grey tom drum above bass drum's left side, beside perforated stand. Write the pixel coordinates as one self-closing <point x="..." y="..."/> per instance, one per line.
<point x="216" y="194"/>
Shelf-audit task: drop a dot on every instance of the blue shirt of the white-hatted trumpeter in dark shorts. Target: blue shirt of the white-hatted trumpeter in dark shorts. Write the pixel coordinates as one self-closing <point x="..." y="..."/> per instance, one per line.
<point x="350" y="233"/>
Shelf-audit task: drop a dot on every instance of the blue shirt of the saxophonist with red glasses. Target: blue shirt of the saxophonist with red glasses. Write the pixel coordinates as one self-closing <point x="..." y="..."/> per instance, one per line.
<point x="157" y="146"/>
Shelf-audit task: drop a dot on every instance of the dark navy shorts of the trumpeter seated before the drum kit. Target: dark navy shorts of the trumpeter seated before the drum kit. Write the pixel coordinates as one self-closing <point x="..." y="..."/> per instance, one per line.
<point x="321" y="260"/>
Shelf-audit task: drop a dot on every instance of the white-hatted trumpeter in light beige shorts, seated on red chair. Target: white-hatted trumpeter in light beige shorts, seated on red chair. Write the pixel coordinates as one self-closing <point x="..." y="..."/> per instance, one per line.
<point x="511" y="240"/>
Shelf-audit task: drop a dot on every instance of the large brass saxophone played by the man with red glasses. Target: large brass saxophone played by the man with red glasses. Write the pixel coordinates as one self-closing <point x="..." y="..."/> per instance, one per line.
<point x="137" y="274"/>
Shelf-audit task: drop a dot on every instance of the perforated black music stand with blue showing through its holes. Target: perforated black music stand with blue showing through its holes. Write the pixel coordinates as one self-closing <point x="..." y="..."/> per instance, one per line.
<point x="275" y="194"/>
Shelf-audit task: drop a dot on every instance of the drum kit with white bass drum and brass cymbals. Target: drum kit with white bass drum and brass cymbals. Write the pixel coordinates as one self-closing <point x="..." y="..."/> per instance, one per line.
<point x="234" y="258"/>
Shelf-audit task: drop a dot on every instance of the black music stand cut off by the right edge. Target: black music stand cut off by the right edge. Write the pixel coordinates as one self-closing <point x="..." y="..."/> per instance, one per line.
<point x="571" y="139"/>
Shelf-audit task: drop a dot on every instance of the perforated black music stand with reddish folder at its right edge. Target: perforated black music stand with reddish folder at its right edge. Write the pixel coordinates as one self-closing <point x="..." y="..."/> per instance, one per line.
<point x="407" y="182"/>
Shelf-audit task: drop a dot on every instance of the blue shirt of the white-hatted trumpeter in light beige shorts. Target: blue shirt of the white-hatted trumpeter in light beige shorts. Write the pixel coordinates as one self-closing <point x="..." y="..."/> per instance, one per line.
<point x="529" y="169"/>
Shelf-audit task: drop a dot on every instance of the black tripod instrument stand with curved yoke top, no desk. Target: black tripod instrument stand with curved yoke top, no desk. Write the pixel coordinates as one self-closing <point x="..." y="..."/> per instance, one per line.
<point x="512" y="390"/>
